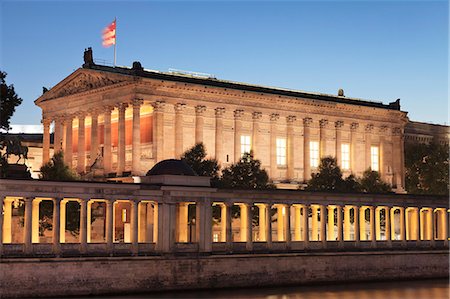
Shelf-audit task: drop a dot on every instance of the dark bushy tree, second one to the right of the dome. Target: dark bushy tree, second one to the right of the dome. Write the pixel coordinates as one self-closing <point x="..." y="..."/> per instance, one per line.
<point x="245" y="174"/>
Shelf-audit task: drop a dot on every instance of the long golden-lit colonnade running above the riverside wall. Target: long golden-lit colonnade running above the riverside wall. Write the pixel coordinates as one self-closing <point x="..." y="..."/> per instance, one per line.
<point x="295" y="225"/>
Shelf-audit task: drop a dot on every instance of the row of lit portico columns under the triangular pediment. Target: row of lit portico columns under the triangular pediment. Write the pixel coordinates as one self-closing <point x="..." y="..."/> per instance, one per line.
<point x="63" y="138"/>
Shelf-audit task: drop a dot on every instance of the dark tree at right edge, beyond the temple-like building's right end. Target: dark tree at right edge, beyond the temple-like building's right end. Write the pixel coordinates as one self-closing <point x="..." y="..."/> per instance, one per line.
<point x="427" y="168"/>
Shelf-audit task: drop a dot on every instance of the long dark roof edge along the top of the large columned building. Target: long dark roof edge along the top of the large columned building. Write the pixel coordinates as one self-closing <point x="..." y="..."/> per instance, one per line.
<point x="204" y="79"/>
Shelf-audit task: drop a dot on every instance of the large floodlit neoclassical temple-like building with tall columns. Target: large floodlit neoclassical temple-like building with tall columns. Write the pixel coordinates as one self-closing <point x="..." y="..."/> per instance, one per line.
<point x="128" y="119"/>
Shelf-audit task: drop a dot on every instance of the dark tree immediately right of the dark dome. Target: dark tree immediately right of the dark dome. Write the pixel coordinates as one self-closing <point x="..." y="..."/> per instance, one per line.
<point x="196" y="159"/>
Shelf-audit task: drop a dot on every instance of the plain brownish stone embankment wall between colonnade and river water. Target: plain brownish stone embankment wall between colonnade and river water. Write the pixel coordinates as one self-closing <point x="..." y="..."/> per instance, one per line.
<point x="22" y="277"/>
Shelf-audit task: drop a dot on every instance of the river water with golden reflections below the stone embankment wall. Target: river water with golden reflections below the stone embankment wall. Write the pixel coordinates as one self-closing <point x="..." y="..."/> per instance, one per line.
<point x="424" y="289"/>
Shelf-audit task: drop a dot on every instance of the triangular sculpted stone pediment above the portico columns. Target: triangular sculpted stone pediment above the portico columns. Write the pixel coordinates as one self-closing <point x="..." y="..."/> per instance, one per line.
<point x="80" y="81"/>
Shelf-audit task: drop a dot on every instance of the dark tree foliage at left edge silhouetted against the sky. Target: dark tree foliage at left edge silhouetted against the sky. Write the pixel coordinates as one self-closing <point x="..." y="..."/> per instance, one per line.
<point x="9" y="100"/>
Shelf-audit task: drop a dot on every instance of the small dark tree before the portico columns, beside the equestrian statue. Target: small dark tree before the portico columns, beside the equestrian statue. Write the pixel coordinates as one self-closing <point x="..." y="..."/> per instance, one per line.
<point x="57" y="170"/>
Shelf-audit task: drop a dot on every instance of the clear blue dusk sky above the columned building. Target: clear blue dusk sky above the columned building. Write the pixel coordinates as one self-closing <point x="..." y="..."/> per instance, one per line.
<point x="376" y="50"/>
